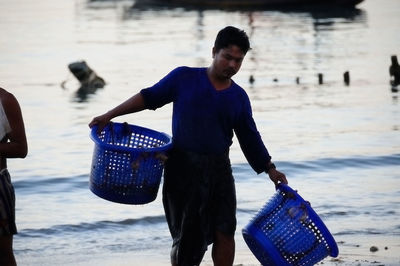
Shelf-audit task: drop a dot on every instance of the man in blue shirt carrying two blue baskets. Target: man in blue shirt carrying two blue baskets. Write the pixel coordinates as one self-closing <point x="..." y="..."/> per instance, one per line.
<point x="208" y="107"/>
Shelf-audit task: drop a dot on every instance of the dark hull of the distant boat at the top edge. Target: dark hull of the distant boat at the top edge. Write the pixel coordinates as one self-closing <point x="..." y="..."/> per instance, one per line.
<point x="259" y="3"/>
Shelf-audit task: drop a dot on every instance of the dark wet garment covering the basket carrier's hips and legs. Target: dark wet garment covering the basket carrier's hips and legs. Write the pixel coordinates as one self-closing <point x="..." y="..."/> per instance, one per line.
<point x="199" y="199"/>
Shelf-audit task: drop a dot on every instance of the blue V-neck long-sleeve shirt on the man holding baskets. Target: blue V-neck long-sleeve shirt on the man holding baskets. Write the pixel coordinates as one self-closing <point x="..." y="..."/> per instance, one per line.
<point x="204" y="118"/>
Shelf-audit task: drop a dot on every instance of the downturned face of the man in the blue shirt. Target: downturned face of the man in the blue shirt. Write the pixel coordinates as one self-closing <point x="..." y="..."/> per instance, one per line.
<point x="227" y="61"/>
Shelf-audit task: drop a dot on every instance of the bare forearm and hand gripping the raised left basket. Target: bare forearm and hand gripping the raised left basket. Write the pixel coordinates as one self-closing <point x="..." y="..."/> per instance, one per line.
<point x="132" y="105"/>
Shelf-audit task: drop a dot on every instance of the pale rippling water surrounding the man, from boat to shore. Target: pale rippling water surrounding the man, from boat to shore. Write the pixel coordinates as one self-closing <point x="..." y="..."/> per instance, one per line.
<point x="339" y="145"/>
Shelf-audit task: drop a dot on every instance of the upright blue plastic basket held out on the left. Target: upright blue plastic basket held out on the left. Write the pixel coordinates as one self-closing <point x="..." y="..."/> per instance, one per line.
<point x="127" y="163"/>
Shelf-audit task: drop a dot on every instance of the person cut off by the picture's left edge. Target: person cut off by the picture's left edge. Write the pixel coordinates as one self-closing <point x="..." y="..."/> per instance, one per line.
<point x="13" y="144"/>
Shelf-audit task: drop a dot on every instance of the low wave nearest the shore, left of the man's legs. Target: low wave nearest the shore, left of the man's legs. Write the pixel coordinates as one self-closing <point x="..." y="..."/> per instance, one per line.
<point x="86" y="227"/>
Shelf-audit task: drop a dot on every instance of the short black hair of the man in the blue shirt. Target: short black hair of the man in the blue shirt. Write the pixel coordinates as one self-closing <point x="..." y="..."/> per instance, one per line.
<point x="232" y="36"/>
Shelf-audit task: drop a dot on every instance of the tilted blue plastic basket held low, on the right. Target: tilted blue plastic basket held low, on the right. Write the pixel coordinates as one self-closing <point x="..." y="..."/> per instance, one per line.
<point x="287" y="231"/>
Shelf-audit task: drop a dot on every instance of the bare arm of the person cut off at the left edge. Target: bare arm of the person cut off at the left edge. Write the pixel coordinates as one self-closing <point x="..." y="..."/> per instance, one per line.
<point x="16" y="146"/>
